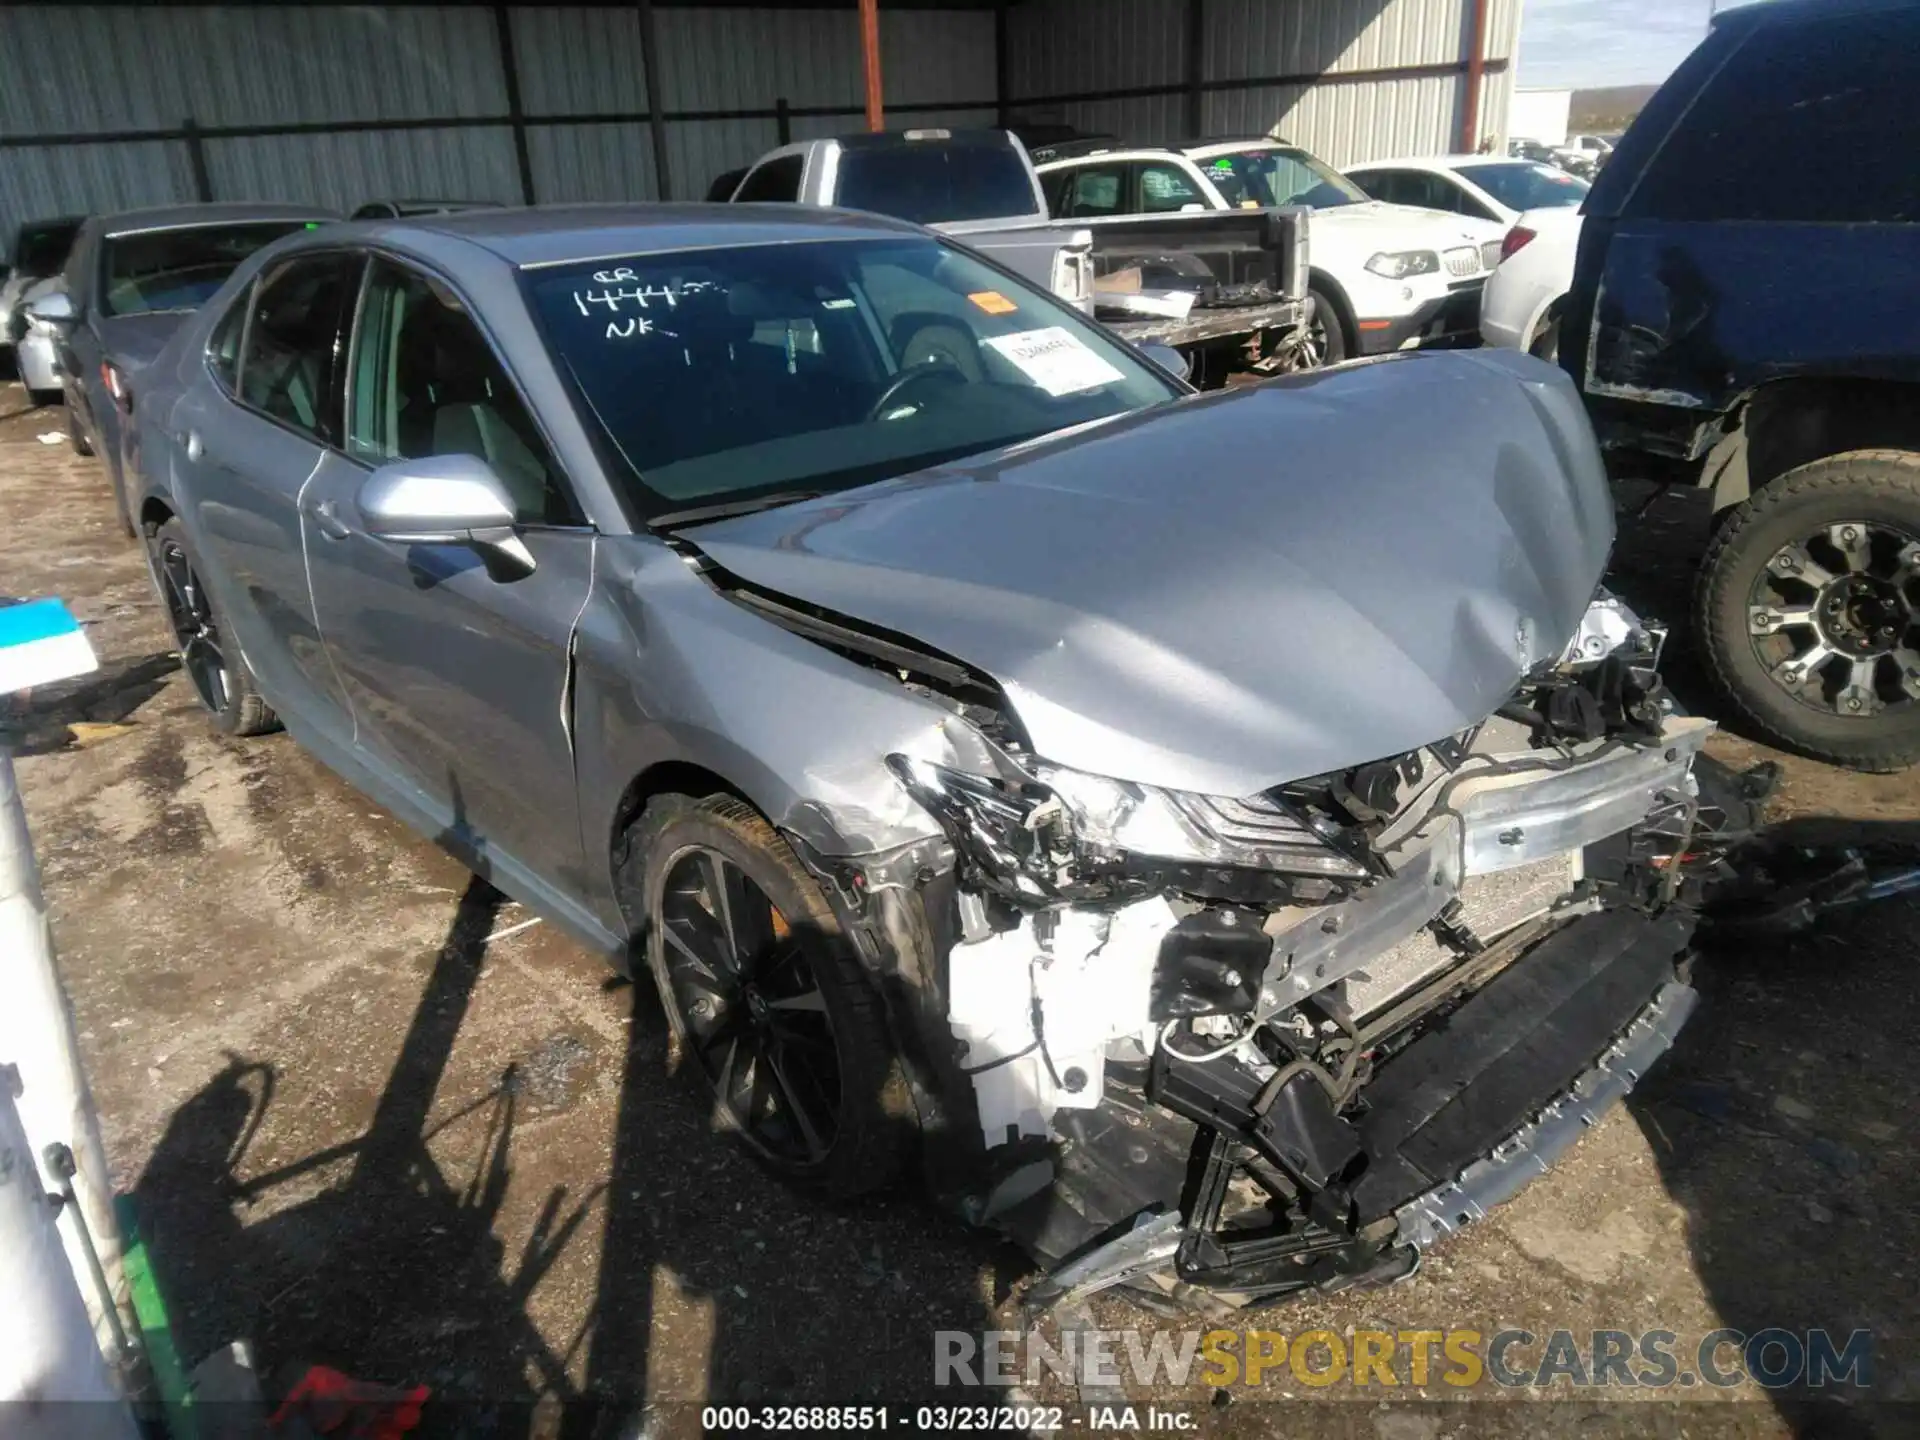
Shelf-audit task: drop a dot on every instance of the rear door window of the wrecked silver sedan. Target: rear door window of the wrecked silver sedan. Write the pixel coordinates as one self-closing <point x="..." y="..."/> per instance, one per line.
<point x="291" y="368"/>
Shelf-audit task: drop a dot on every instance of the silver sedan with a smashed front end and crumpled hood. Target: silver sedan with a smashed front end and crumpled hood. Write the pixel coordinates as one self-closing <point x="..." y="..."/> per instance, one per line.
<point x="1005" y="761"/>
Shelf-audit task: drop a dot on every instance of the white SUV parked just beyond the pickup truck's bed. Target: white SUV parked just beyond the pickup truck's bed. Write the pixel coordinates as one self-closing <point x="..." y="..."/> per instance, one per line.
<point x="1383" y="277"/>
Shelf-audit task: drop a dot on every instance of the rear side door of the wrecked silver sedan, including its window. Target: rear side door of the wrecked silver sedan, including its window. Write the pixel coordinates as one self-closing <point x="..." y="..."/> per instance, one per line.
<point x="258" y="425"/>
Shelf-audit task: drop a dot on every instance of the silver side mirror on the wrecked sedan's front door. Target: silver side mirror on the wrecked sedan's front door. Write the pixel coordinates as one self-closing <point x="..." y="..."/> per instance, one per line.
<point x="446" y="500"/>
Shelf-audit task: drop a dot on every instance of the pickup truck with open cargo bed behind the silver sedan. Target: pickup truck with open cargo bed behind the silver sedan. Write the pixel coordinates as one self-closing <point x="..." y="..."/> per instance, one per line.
<point x="1237" y="281"/>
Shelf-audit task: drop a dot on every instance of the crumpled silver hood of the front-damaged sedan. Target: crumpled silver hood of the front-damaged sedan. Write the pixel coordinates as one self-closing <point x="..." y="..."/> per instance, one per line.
<point x="1236" y="590"/>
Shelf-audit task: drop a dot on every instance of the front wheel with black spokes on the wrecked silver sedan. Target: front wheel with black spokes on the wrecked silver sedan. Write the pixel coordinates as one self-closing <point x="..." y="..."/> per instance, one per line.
<point x="769" y="1003"/>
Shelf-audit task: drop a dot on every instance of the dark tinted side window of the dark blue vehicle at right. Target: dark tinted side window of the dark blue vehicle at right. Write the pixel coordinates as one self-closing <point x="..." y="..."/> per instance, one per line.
<point x="1810" y="120"/>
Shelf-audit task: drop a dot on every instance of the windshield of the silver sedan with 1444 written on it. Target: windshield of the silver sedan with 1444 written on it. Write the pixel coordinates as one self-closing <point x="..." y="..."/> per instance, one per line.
<point x="727" y="375"/>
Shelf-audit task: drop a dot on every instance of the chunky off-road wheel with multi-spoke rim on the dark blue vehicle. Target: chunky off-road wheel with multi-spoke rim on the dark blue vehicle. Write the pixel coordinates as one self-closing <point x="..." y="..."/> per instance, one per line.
<point x="1810" y="610"/>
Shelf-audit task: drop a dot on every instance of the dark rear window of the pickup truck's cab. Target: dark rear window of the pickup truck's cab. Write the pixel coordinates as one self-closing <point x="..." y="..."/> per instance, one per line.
<point x="932" y="181"/>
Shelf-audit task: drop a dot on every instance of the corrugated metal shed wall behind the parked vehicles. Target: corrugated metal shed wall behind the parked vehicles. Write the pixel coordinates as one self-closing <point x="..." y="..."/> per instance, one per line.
<point x="114" y="107"/>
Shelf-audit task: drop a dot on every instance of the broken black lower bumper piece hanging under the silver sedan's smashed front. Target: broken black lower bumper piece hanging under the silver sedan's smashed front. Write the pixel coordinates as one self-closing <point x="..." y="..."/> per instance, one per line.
<point x="1458" y="1122"/>
